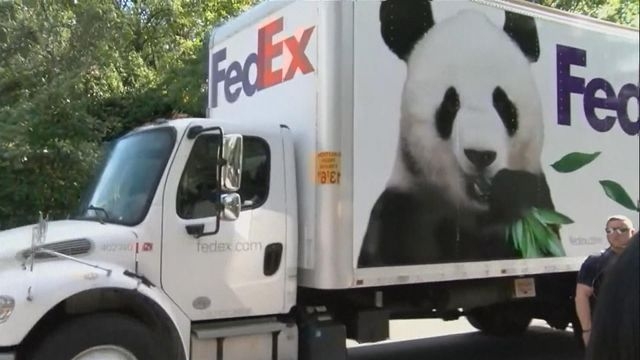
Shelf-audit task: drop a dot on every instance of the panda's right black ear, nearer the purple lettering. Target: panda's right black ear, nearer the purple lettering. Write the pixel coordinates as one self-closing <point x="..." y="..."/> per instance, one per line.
<point x="522" y="29"/>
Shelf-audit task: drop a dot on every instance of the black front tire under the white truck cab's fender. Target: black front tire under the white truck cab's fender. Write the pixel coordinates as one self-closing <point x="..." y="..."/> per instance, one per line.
<point x="111" y="332"/>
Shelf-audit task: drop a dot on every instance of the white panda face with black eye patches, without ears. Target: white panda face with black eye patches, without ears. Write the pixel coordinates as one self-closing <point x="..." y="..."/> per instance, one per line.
<point x="470" y="107"/>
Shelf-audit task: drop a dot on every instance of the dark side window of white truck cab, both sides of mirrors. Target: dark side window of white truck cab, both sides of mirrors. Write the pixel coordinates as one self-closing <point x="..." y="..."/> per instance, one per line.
<point x="198" y="186"/>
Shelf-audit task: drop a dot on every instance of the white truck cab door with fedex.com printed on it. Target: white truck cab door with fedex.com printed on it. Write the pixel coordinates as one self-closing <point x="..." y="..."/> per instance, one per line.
<point x="237" y="271"/>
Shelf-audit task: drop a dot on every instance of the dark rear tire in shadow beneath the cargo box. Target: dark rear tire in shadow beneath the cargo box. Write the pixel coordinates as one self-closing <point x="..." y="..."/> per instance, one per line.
<point x="503" y="320"/>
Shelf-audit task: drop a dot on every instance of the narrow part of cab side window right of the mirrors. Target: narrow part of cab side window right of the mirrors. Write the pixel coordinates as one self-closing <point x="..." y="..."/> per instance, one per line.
<point x="254" y="187"/>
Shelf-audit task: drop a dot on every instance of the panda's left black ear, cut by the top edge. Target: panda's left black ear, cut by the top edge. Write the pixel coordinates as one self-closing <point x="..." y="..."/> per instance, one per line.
<point x="403" y="23"/>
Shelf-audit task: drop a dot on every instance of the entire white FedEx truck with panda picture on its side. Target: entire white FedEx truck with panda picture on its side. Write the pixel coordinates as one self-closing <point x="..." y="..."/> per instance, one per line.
<point x="361" y="161"/>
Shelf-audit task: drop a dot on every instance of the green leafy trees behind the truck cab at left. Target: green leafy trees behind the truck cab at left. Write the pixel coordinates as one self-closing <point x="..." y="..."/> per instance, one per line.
<point x="74" y="73"/>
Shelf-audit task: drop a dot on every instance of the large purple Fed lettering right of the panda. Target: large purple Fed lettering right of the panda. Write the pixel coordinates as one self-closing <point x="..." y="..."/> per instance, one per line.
<point x="598" y="93"/>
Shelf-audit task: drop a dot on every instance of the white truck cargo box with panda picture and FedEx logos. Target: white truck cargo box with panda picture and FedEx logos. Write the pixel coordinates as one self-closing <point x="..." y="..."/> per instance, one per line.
<point x="439" y="140"/>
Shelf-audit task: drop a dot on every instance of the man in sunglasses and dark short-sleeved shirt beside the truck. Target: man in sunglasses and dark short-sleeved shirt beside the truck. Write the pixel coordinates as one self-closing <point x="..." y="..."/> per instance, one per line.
<point x="619" y="230"/>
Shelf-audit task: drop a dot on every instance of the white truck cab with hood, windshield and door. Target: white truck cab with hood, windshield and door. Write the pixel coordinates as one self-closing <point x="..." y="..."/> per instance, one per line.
<point x="202" y="221"/>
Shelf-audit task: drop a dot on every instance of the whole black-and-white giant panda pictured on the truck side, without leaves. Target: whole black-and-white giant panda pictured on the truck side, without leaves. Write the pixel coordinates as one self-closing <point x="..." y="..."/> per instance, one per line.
<point x="470" y="141"/>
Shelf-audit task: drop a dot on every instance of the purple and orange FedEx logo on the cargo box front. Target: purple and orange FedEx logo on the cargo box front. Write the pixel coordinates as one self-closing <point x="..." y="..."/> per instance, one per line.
<point x="235" y="78"/>
